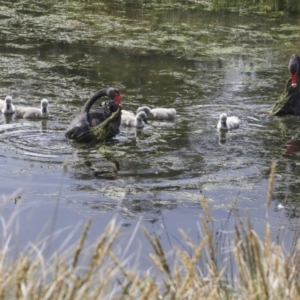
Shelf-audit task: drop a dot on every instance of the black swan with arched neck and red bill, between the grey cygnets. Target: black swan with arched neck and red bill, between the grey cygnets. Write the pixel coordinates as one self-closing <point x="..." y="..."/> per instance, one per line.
<point x="97" y="122"/>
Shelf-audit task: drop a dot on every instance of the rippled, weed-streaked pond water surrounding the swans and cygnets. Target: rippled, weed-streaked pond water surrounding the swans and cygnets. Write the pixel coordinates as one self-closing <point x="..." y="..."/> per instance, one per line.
<point x="199" y="62"/>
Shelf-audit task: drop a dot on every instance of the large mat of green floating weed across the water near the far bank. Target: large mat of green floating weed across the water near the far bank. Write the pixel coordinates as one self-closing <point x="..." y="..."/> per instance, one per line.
<point x="77" y="22"/>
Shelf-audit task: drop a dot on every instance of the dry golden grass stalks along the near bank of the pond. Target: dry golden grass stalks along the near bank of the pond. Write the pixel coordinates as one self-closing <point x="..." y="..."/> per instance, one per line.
<point x="259" y="269"/>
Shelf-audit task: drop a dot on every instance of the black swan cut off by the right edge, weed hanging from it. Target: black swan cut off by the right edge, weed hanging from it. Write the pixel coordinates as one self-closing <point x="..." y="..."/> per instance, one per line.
<point x="288" y="102"/>
